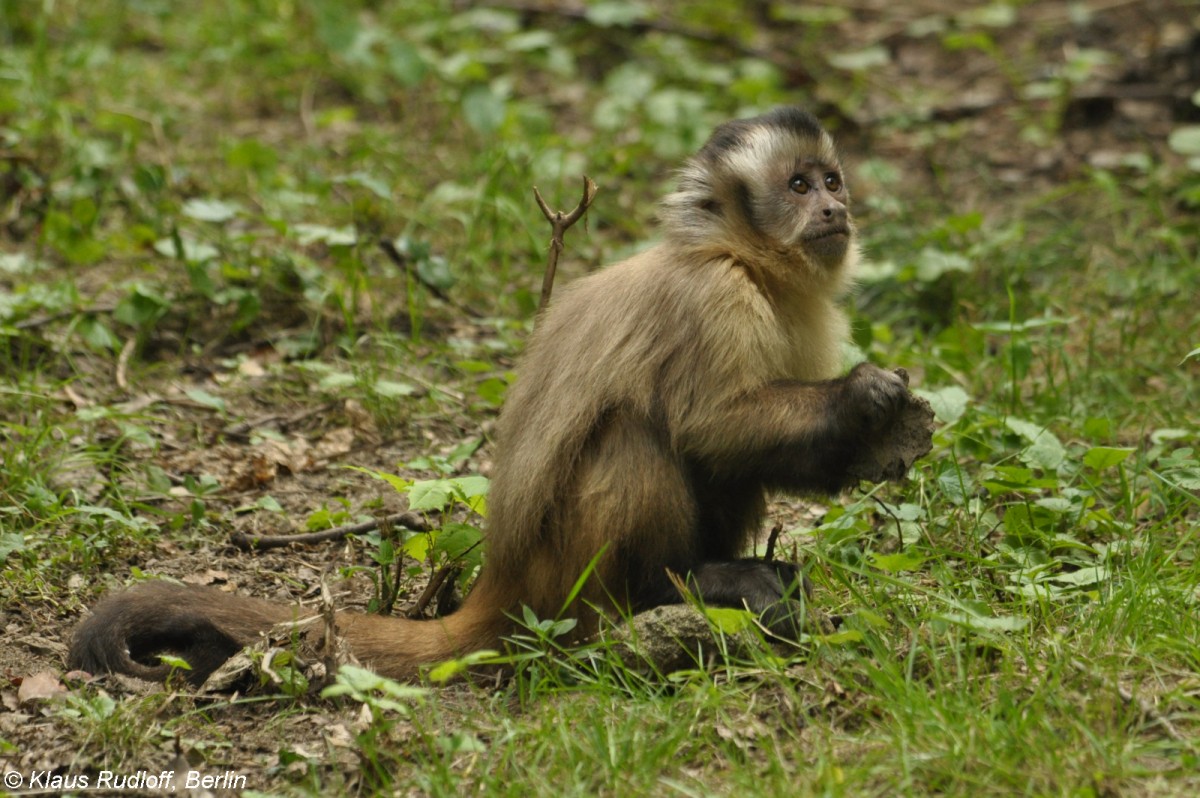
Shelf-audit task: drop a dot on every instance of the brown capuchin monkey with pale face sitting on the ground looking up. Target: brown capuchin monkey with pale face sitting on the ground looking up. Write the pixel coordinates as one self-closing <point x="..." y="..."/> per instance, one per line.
<point x="659" y="403"/>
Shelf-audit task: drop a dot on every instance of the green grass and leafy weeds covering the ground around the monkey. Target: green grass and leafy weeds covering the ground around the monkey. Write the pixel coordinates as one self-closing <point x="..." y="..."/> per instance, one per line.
<point x="190" y="209"/>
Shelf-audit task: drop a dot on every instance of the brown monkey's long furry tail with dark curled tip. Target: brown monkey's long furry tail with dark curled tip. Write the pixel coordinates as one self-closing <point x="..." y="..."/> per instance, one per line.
<point x="127" y="632"/>
